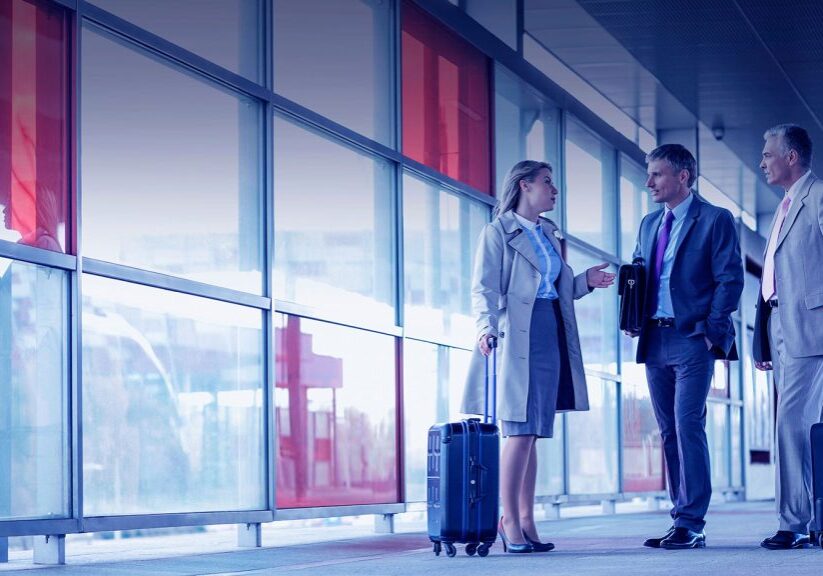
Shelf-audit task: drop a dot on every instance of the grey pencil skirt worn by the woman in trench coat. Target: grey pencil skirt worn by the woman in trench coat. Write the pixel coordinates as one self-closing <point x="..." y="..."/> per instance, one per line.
<point x="544" y="373"/>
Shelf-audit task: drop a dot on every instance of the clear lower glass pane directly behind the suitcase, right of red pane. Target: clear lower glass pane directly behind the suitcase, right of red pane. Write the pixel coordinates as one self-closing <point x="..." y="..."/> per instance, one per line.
<point x="433" y="380"/>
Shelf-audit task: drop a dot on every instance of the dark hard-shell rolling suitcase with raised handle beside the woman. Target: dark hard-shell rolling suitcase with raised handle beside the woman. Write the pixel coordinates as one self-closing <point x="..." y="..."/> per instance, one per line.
<point x="463" y="478"/>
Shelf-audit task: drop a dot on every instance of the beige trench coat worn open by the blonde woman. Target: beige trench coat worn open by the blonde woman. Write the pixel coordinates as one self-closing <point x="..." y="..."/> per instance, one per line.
<point x="504" y="286"/>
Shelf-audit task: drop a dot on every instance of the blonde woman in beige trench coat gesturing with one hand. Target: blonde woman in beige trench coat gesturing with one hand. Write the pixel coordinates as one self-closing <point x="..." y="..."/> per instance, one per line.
<point x="522" y="295"/>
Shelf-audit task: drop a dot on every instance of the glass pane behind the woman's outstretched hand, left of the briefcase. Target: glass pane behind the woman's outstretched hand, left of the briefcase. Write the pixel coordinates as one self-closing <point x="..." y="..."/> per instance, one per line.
<point x="596" y="317"/>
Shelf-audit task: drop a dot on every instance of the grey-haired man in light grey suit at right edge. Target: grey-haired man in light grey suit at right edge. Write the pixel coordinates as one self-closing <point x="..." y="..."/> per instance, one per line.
<point x="788" y="332"/>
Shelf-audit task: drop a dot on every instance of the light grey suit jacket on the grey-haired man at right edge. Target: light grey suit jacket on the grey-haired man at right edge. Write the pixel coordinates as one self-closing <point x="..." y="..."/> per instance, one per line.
<point x="798" y="267"/>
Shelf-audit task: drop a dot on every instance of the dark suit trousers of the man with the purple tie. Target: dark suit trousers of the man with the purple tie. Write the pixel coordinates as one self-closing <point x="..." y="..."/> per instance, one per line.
<point x="679" y="371"/>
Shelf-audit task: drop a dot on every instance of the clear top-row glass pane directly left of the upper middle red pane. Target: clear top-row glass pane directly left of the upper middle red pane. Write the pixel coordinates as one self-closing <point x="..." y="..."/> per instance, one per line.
<point x="336" y="58"/>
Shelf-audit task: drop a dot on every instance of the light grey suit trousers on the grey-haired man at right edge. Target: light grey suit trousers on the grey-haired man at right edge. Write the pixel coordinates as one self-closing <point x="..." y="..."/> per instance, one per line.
<point x="799" y="383"/>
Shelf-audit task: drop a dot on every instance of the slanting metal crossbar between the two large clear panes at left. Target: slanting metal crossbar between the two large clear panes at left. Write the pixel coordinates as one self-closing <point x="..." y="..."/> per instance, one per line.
<point x="173" y="283"/>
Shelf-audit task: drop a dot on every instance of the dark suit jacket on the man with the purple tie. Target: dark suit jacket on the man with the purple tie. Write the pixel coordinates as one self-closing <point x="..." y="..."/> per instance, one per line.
<point x="707" y="275"/>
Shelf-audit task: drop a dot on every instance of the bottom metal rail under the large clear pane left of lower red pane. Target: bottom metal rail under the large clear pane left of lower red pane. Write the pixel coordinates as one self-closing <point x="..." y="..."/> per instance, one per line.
<point x="140" y="521"/>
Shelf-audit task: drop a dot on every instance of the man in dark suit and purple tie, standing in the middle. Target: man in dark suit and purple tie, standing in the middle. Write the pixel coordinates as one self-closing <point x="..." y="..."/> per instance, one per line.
<point x="695" y="278"/>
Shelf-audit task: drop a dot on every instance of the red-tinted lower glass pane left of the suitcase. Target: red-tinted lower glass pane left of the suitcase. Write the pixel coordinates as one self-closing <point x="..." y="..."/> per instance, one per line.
<point x="336" y="415"/>
